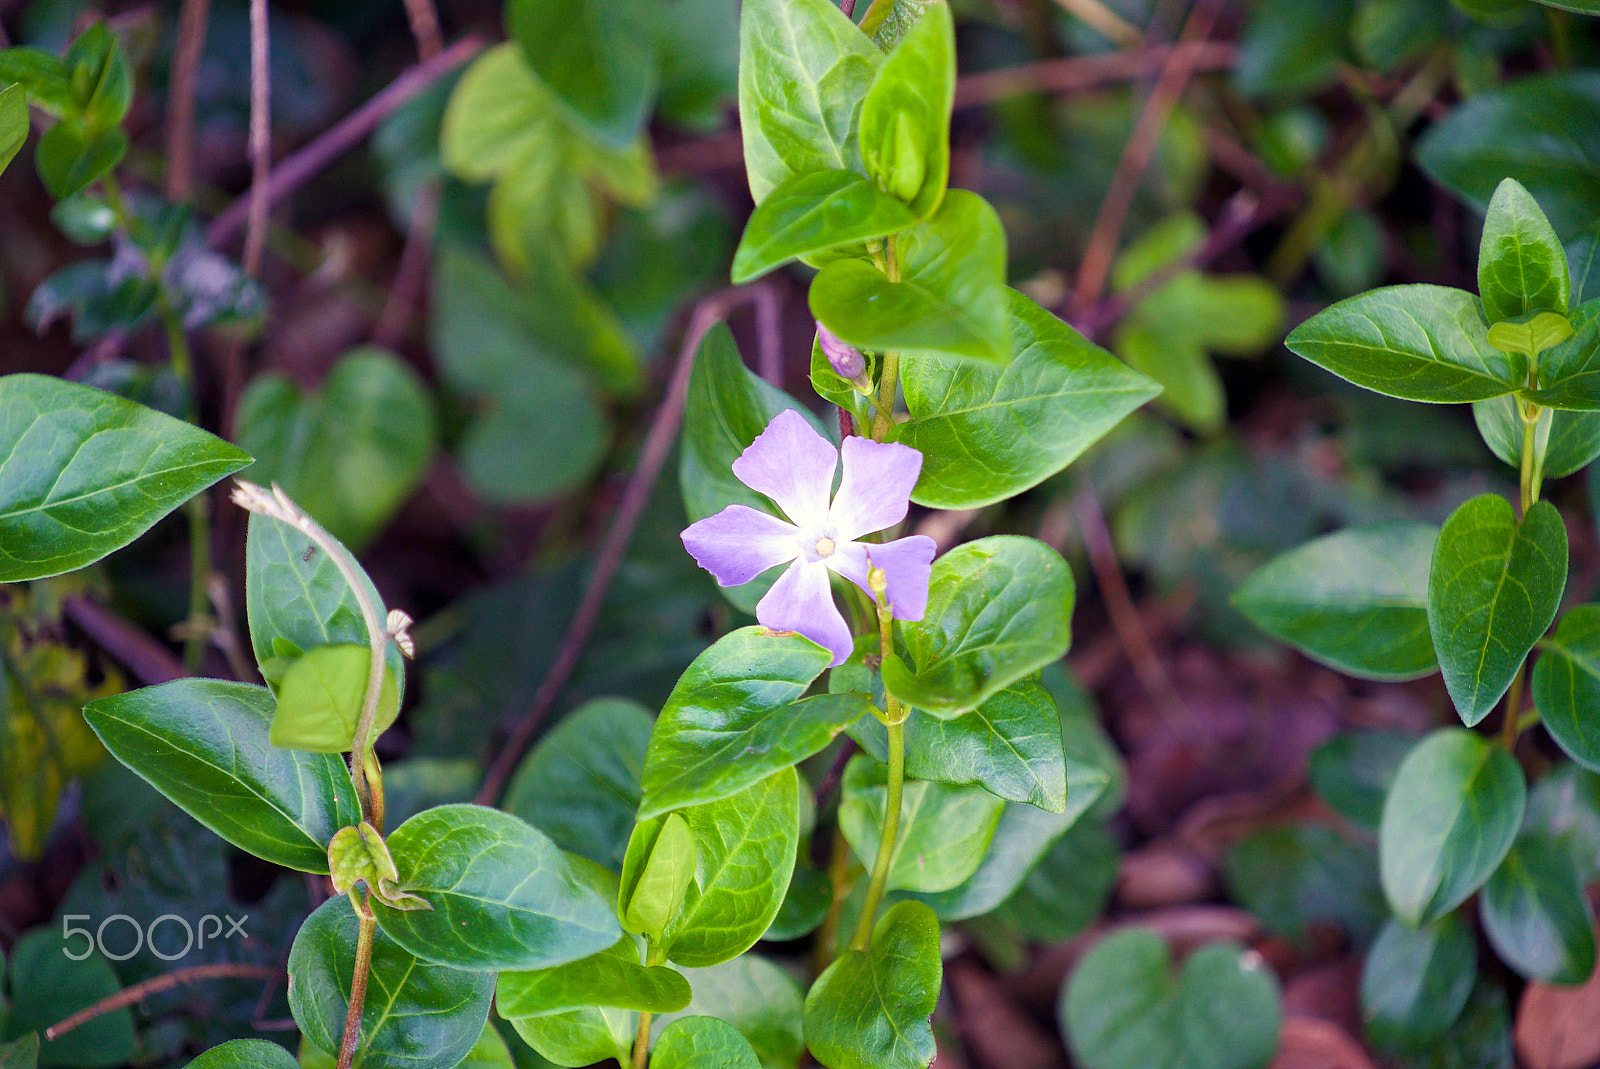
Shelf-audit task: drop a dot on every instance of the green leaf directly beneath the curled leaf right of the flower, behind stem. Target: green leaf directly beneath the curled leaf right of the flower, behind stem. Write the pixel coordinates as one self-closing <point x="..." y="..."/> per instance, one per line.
<point x="1010" y="747"/>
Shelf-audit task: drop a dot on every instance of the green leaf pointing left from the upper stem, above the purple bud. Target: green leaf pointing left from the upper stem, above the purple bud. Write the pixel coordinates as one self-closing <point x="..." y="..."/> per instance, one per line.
<point x="812" y="214"/>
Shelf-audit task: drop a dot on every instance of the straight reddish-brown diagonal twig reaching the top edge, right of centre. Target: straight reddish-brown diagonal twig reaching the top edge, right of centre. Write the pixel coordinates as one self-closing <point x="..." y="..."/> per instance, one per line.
<point x="1095" y="268"/>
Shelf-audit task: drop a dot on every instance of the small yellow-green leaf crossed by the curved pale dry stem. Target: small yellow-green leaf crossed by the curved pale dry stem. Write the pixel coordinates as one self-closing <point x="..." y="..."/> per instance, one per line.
<point x="321" y="700"/>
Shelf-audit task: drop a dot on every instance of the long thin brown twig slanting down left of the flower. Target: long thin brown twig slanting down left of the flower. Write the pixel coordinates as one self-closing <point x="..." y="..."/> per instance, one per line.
<point x="658" y="442"/>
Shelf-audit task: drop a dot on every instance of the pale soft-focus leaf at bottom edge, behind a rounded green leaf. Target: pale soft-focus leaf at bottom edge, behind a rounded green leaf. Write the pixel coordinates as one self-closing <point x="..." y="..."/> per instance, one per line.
<point x="756" y="998"/>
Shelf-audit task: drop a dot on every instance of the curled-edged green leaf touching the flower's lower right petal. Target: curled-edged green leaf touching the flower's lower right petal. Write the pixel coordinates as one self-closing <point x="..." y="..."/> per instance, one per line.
<point x="999" y="609"/>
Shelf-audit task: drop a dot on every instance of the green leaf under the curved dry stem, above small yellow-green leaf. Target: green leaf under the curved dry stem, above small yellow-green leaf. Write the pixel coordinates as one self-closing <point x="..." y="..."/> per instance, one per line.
<point x="297" y="599"/>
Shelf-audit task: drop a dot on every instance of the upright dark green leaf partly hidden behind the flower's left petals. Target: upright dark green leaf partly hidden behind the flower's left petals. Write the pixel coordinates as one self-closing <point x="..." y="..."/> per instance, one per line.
<point x="727" y="409"/>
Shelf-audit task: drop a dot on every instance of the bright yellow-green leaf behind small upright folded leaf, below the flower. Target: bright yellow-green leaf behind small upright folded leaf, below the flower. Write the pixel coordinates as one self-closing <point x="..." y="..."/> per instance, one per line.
<point x="745" y="851"/>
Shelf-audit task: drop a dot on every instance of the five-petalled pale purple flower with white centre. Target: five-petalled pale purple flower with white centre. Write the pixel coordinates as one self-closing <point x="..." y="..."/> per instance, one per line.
<point x="794" y="466"/>
